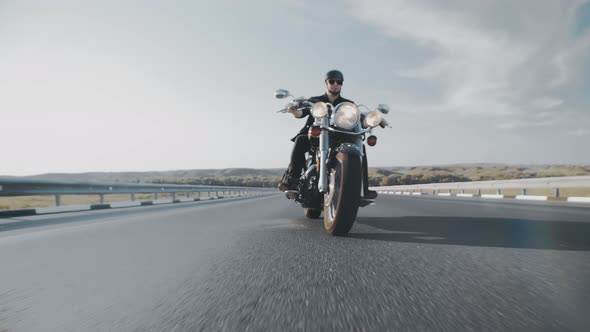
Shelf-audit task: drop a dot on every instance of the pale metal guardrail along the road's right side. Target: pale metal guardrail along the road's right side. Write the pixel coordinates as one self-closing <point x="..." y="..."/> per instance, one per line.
<point x="554" y="183"/>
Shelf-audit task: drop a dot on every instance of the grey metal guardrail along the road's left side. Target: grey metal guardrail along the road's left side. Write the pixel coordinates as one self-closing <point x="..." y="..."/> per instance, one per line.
<point x="28" y="187"/>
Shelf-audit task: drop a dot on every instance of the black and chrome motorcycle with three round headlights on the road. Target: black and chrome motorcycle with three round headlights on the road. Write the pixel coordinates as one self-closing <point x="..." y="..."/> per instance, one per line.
<point x="332" y="180"/>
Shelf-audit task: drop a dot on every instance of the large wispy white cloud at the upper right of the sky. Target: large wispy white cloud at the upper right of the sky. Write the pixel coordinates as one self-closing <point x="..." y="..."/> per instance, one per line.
<point x="491" y="57"/>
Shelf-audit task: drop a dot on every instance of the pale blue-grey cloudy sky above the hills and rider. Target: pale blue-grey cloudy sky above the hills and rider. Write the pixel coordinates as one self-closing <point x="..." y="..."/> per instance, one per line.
<point x="162" y="85"/>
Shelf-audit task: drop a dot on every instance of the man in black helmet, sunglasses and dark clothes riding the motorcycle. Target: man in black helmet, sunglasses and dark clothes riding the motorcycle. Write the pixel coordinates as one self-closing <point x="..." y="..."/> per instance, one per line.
<point x="334" y="80"/>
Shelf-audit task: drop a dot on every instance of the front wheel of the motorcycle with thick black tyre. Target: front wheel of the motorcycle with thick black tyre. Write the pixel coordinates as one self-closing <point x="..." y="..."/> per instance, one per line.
<point x="341" y="204"/>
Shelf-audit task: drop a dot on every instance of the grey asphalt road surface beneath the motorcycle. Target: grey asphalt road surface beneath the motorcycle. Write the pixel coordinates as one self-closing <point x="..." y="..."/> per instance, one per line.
<point x="410" y="263"/>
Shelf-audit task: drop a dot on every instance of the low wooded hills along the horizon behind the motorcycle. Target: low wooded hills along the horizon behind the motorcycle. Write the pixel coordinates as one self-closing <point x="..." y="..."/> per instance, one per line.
<point x="377" y="175"/>
